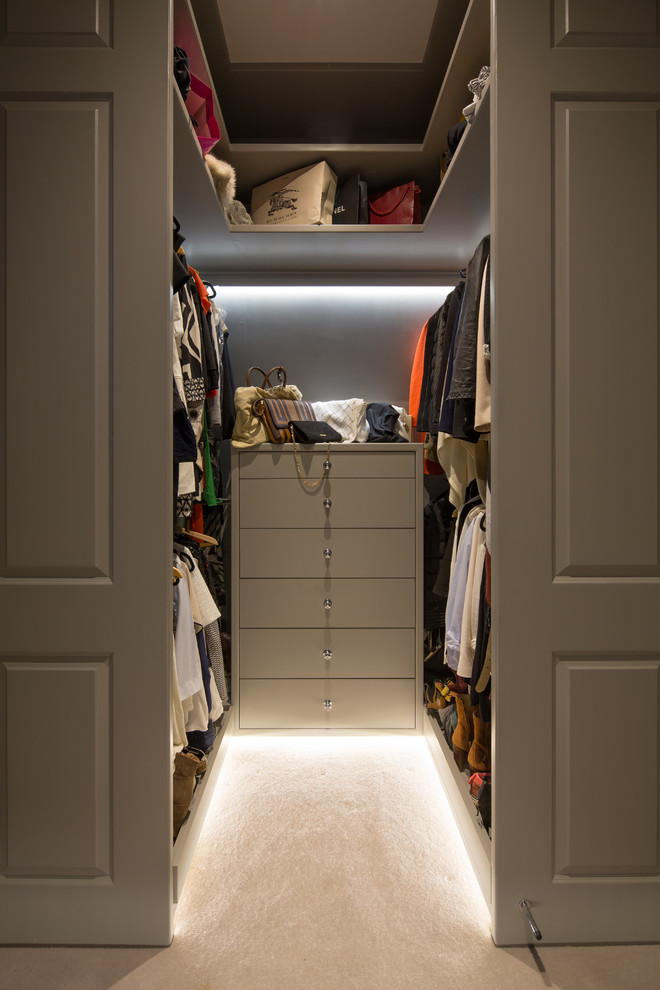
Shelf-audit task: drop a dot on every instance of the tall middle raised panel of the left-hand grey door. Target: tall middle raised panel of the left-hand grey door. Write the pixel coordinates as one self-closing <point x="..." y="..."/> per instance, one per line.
<point x="57" y="449"/>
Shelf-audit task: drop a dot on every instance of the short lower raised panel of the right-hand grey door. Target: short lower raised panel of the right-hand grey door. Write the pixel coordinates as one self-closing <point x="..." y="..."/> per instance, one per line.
<point x="606" y="723"/>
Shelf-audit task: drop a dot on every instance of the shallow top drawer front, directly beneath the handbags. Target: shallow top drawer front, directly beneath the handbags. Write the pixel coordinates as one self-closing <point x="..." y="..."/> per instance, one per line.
<point x="352" y="461"/>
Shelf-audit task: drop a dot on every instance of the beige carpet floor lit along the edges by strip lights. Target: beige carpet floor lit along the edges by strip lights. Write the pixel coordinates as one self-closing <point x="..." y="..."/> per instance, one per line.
<point x="329" y="864"/>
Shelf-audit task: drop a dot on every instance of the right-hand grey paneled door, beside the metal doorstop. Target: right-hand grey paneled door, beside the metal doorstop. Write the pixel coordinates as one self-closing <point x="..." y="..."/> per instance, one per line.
<point x="575" y="470"/>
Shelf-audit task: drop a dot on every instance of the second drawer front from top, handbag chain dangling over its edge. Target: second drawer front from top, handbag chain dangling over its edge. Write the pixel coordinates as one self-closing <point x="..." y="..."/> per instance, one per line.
<point x="371" y="503"/>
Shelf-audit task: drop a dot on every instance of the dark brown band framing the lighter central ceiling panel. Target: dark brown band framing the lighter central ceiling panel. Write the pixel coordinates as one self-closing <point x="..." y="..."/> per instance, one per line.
<point x="320" y="103"/>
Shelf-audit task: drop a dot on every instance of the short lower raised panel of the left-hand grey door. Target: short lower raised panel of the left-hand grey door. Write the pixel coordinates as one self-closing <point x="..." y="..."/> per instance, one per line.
<point x="60" y="825"/>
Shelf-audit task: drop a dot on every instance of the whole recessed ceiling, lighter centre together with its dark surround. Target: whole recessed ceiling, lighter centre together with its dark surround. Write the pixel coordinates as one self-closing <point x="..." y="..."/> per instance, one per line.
<point x="328" y="71"/>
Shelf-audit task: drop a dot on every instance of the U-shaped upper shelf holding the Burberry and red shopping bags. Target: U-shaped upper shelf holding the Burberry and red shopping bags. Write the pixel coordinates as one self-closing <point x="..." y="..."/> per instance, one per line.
<point x="458" y="216"/>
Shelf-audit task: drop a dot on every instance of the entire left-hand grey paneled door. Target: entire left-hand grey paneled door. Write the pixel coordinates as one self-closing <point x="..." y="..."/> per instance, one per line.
<point x="85" y="464"/>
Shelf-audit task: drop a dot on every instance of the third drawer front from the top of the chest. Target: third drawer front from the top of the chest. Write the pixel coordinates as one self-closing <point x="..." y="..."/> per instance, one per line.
<point x="304" y="553"/>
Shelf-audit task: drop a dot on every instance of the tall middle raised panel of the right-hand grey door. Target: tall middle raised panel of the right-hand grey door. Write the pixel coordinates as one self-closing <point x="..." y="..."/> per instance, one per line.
<point x="606" y="336"/>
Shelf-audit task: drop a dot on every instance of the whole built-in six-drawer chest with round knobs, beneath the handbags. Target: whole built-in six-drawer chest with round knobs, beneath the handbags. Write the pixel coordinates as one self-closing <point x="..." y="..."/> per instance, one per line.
<point x="326" y="588"/>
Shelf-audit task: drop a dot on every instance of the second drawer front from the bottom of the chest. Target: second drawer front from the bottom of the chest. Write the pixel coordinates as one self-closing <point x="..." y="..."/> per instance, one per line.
<point x="373" y="653"/>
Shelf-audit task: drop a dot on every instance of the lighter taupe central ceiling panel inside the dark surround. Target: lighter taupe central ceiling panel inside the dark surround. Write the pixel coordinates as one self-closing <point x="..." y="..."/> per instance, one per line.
<point x="304" y="31"/>
